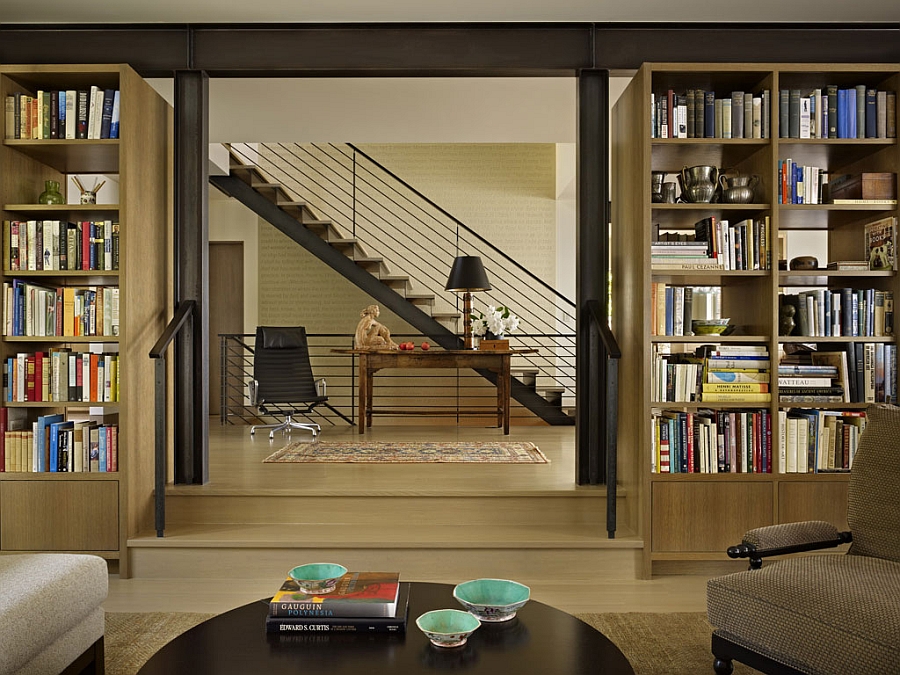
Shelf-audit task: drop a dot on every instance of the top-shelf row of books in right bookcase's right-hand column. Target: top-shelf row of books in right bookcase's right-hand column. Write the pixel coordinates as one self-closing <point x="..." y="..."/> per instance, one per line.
<point x="835" y="112"/>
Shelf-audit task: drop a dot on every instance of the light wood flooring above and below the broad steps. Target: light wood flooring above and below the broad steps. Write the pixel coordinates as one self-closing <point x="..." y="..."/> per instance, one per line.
<point x="236" y="468"/>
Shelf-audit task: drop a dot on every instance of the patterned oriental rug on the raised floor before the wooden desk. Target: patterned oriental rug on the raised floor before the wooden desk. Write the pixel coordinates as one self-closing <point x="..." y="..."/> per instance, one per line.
<point x="474" y="452"/>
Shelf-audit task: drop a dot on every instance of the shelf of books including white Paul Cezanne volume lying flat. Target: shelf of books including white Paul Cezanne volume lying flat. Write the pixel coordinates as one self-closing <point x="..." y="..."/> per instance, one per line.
<point x="717" y="244"/>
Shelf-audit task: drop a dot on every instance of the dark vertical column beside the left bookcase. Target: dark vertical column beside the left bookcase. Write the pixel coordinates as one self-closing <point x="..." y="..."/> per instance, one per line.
<point x="192" y="275"/>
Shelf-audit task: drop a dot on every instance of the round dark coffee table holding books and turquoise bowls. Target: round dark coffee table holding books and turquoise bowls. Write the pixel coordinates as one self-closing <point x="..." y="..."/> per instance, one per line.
<point x="540" y="639"/>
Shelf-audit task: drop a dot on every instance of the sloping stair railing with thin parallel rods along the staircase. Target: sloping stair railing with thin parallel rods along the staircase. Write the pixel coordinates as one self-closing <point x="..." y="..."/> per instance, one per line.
<point x="417" y="238"/>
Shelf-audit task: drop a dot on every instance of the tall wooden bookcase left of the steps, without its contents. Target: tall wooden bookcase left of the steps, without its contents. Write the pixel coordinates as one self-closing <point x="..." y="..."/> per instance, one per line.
<point x="93" y="512"/>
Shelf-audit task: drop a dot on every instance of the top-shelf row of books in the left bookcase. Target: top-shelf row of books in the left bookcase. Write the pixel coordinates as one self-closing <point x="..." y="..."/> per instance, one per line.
<point x="67" y="114"/>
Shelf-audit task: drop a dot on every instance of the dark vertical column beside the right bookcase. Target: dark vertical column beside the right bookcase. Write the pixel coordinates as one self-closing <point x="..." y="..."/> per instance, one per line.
<point x="592" y="271"/>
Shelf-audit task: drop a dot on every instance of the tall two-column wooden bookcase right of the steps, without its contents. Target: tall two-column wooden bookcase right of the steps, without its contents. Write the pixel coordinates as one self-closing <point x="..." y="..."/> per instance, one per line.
<point x="689" y="519"/>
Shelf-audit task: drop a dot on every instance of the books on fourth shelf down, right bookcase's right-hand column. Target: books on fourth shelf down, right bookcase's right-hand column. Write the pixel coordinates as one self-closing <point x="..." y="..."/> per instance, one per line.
<point x="840" y="312"/>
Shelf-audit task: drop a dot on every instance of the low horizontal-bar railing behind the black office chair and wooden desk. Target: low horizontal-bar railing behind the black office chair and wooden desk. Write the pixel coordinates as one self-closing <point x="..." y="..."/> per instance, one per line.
<point x="439" y="391"/>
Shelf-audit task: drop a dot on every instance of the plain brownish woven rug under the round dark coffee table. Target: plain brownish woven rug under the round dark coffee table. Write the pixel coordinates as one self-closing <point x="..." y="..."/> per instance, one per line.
<point x="655" y="644"/>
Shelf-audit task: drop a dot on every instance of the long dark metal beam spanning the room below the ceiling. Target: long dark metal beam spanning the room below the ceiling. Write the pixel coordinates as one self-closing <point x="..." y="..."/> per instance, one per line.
<point x="458" y="49"/>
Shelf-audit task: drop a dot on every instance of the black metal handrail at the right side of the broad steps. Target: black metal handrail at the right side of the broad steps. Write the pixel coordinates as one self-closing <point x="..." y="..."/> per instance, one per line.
<point x="610" y="402"/>
